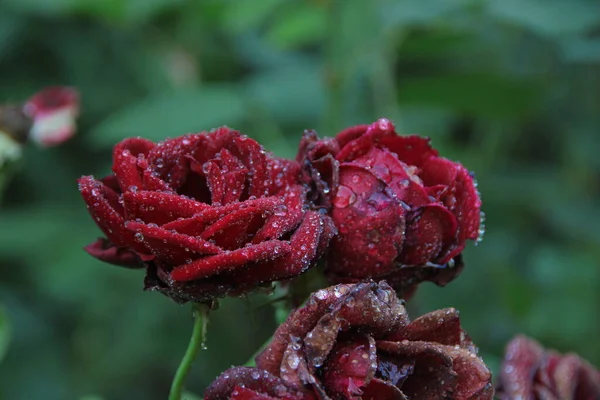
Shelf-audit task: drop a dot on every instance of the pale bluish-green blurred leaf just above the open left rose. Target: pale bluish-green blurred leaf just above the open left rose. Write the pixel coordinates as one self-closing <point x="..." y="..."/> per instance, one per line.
<point x="173" y="114"/>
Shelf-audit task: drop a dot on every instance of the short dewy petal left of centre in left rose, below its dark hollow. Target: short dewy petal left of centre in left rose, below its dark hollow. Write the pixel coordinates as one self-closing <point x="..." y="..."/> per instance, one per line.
<point x="159" y="207"/>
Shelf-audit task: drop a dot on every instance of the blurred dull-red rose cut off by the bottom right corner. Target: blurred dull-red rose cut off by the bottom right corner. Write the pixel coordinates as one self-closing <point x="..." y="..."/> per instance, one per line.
<point x="529" y="372"/>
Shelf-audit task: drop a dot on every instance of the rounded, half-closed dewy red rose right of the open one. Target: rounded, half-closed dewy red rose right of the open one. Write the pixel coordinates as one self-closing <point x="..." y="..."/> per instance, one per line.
<point x="403" y="212"/>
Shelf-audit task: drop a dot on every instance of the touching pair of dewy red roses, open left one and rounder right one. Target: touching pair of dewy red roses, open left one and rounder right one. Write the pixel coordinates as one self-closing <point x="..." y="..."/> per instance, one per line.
<point x="213" y="214"/>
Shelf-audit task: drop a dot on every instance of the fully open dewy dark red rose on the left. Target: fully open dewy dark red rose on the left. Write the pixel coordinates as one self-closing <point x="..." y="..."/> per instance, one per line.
<point x="207" y="214"/>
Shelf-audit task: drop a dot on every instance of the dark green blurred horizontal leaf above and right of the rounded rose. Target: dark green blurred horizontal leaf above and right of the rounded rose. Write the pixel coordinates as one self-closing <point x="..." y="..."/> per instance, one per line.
<point x="486" y="95"/>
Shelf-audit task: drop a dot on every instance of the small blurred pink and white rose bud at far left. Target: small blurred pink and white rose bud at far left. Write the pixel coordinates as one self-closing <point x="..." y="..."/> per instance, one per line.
<point x="53" y="111"/>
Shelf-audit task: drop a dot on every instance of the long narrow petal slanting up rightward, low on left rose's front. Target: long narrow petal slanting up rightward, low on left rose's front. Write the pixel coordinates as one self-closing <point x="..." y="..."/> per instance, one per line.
<point x="230" y="260"/>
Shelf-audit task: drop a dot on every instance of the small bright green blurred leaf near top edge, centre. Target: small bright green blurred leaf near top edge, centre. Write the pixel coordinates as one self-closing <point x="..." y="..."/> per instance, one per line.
<point x="301" y="25"/>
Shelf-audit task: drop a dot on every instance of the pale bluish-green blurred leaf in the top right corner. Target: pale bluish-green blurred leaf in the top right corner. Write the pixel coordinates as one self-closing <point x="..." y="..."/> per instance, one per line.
<point x="548" y="17"/>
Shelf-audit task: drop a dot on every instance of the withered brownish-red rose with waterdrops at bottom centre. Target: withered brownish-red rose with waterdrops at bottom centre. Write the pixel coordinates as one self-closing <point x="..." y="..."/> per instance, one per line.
<point x="357" y="342"/>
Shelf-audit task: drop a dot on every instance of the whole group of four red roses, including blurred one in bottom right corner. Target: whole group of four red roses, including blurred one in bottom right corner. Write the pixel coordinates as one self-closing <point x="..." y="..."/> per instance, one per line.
<point x="213" y="214"/>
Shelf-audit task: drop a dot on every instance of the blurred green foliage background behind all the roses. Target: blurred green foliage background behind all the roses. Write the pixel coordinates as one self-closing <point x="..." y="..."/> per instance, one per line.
<point x="511" y="88"/>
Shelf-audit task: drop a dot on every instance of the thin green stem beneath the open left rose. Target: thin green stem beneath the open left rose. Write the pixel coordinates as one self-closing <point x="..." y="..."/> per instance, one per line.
<point x="200" y="312"/>
